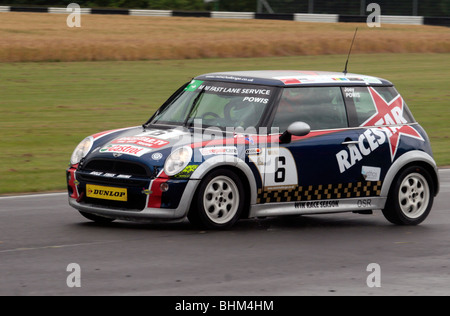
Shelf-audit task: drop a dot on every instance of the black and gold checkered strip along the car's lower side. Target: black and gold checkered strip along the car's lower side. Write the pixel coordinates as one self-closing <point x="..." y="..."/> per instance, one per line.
<point x="320" y="192"/>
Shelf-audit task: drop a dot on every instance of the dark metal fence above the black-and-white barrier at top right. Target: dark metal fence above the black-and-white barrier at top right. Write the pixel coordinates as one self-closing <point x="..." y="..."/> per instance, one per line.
<point x="357" y="7"/>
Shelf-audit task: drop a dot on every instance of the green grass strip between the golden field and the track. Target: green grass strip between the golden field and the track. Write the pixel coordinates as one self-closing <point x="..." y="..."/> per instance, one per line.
<point x="47" y="108"/>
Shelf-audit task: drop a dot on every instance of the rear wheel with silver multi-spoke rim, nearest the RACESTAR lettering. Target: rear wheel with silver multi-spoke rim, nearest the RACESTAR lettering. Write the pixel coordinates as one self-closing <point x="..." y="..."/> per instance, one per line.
<point x="410" y="198"/>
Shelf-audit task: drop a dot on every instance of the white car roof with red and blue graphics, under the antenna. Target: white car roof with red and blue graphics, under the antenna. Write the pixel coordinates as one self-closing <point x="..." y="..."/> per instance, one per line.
<point x="294" y="78"/>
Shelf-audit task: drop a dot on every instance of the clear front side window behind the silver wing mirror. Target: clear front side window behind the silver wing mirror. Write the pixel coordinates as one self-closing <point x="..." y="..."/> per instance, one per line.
<point x="320" y="107"/>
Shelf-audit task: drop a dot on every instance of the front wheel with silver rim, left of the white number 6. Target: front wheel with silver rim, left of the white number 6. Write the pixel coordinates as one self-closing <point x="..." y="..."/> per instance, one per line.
<point x="218" y="202"/>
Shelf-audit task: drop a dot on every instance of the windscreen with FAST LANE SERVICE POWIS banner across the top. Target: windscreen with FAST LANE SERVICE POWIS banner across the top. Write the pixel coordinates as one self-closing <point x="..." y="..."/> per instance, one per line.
<point x="218" y="104"/>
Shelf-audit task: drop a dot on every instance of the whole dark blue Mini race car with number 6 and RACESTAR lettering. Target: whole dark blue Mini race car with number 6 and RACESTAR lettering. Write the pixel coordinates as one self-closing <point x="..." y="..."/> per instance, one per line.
<point x="234" y="145"/>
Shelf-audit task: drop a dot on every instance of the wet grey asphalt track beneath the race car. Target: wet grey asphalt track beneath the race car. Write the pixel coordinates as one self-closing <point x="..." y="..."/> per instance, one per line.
<point x="40" y="235"/>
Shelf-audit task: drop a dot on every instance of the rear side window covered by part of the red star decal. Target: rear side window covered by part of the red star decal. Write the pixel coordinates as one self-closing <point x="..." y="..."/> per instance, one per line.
<point x="377" y="106"/>
